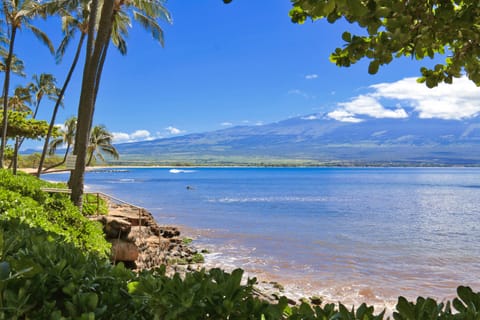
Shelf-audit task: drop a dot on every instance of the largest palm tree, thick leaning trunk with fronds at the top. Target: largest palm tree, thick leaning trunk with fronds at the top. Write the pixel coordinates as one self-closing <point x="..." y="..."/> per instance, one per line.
<point x="147" y="12"/>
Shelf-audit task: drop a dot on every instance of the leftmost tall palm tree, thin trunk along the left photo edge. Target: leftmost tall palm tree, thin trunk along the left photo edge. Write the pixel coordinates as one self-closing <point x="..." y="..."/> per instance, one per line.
<point x="18" y="14"/>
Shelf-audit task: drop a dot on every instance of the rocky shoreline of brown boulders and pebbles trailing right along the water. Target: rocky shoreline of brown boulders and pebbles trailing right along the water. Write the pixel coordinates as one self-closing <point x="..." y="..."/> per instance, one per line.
<point x="168" y="247"/>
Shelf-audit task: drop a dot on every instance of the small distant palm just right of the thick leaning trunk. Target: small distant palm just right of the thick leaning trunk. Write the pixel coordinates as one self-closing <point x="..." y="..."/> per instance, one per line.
<point x="100" y="142"/>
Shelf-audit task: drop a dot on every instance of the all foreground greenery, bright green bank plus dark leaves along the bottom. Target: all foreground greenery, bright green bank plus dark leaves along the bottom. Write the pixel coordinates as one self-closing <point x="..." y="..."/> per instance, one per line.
<point x="53" y="266"/>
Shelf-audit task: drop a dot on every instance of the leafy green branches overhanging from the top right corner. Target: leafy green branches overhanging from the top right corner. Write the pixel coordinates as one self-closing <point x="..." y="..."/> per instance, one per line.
<point x="415" y="28"/>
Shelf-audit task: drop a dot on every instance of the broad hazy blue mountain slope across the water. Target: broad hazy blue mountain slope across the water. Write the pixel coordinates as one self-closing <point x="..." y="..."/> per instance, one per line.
<point x="318" y="139"/>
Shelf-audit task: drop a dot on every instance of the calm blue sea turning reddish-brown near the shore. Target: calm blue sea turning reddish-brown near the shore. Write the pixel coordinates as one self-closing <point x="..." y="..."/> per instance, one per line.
<point x="349" y="234"/>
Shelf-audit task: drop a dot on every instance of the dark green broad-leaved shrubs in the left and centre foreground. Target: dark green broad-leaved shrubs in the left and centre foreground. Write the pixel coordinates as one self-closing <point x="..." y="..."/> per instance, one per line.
<point x="42" y="276"/>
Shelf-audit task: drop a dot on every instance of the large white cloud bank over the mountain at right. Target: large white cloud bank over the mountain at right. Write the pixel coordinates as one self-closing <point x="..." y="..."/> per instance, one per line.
<point x="456" y="101"/>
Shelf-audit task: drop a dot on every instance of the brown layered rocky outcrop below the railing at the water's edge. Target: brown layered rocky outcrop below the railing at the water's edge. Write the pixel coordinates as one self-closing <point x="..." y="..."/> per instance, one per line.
<point x="139" y="242"/>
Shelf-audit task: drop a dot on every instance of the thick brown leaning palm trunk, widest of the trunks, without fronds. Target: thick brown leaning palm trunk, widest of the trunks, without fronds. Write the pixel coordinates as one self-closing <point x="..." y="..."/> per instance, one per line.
<point x="93" y="69"/>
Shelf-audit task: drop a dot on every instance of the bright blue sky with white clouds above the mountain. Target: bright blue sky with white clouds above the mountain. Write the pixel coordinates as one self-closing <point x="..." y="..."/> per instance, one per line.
<point x="237" y="64"/>
